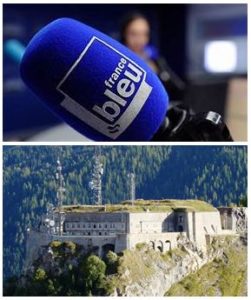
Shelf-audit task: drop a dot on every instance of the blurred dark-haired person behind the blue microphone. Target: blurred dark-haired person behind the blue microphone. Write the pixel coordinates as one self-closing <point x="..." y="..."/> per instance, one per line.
<point x="135" y="33"/>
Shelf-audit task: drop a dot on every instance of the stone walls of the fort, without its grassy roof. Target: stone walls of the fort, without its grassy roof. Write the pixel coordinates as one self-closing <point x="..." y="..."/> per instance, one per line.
<point x="104" y="231"/>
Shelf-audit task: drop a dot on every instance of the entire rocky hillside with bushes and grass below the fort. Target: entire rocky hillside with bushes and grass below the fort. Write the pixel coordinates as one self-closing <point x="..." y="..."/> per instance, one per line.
<point x="64" y="269"/>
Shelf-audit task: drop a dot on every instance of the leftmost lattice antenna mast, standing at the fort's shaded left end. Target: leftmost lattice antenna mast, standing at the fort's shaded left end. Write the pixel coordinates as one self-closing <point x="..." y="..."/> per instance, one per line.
<point x="60" y="194"/>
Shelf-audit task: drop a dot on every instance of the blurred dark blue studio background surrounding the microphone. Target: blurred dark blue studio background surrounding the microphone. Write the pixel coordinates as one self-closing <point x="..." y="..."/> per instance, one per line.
<point x="199" y="52"/>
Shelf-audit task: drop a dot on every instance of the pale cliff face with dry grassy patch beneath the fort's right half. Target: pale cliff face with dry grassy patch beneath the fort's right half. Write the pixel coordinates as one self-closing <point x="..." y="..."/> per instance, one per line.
<point x="153" y="274"/>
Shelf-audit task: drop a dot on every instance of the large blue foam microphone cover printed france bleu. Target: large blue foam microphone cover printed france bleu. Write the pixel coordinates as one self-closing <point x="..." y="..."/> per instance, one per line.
<point x="94" y="83"/>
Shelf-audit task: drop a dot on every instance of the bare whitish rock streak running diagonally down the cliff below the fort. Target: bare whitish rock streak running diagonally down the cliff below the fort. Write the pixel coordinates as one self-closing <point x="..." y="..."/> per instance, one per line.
<point x="184" y="261"/>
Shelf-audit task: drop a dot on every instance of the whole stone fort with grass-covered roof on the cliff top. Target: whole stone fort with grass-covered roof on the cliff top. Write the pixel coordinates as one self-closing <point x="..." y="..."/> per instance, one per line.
<point x="159" y="224"/>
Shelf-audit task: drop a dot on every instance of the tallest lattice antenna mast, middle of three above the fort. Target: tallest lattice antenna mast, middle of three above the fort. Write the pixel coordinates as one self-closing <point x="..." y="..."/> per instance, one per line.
<point x="96" y="179"/>
